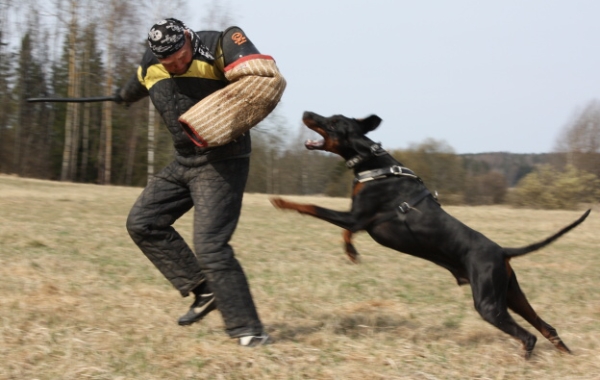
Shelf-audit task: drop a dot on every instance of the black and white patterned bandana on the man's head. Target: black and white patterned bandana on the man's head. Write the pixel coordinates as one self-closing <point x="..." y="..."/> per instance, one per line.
<point x="166" y="37"/>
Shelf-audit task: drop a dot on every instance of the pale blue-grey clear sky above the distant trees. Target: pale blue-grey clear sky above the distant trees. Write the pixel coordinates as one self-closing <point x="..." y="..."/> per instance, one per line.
<point x="480" y="76"/>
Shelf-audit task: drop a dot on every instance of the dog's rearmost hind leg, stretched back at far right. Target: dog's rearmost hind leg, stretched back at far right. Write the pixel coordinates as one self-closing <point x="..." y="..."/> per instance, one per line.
<point x="518" y="303"/>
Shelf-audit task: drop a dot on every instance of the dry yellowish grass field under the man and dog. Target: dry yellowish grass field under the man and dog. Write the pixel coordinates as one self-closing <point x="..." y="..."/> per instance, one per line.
<point x="79" y="301"/>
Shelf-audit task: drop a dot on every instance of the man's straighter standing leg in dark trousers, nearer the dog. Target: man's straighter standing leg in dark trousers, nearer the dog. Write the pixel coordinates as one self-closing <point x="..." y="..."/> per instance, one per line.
<point x="217" y="190"/>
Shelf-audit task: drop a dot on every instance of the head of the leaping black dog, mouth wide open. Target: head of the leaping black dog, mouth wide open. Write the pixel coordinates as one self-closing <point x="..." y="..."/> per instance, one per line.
<point x="341" y="135"/>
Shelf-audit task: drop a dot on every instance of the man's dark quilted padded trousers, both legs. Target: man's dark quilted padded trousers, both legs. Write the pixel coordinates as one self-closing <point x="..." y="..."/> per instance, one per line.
<point x="215" y="190"/>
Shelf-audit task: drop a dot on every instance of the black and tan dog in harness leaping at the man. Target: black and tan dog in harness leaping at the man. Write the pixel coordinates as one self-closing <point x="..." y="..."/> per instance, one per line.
<point x="393" y="205"/>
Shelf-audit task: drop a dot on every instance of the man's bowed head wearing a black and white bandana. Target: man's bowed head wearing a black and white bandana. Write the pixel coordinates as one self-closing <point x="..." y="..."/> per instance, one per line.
<point x="170" y="41"/>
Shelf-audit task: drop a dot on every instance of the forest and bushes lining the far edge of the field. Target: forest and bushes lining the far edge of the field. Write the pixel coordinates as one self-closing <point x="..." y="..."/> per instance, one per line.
<point x="89" y="50"/>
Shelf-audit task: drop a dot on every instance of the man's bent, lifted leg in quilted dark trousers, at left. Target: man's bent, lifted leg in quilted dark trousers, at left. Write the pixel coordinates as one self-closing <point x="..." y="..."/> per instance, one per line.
<point x="164" y="200"/>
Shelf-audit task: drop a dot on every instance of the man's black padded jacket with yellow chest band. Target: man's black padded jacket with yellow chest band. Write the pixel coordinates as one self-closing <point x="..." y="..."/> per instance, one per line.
<point x="172" y="95"/>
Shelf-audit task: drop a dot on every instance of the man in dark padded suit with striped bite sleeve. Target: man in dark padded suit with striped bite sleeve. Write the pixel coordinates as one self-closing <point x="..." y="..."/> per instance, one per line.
<point x="193" y="79"/>
